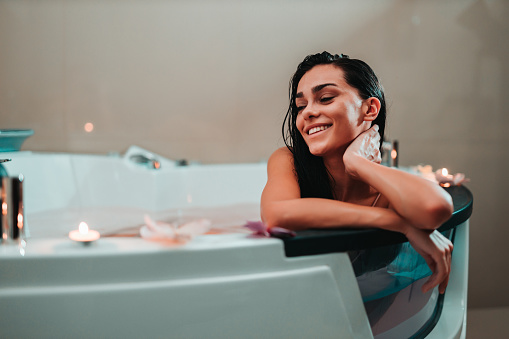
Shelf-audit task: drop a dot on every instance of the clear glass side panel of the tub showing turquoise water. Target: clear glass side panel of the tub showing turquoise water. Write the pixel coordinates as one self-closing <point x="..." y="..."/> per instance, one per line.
<point x="390" y="280"/>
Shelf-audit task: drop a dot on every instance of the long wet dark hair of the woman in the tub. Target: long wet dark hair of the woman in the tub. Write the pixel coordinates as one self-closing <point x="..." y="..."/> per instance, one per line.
<point x="314" y="179"/>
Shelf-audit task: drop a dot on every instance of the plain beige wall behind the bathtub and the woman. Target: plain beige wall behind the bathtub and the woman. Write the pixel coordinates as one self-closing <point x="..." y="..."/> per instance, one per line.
<point x="207" y="80"/>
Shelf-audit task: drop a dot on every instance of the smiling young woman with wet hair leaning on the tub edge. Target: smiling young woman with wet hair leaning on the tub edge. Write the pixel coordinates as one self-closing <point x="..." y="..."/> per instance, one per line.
<point x="329" y="175"/>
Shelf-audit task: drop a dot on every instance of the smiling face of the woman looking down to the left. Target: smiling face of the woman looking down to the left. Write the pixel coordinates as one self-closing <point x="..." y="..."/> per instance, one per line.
<point x="330" y="111"/>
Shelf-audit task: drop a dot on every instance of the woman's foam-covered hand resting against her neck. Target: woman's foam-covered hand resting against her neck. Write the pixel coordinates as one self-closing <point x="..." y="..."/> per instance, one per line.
<point x="367" y="146"/>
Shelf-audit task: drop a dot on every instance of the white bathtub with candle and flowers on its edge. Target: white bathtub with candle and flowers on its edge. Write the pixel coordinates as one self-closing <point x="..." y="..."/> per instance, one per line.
<point x="223" y="285"/>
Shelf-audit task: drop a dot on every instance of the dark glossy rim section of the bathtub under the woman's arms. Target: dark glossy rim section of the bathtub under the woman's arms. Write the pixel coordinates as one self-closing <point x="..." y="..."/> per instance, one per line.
<point x="320" y="241"/>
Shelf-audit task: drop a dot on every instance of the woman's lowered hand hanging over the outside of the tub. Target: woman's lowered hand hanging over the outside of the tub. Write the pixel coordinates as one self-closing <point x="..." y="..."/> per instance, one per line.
<point x="436" y="250"/>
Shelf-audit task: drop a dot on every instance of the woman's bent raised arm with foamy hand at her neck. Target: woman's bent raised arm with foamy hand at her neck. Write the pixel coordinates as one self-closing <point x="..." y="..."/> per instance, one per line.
<point x="423" y="203"/>
